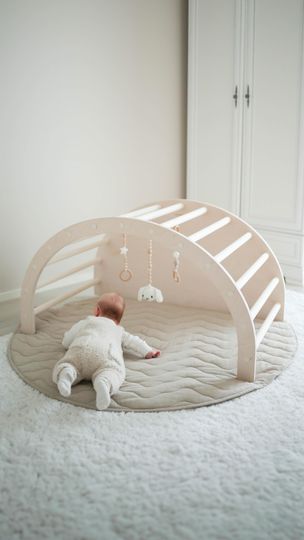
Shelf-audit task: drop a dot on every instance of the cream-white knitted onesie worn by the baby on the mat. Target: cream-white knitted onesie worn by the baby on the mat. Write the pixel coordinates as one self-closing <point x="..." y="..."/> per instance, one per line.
<point x="95" y="348"/>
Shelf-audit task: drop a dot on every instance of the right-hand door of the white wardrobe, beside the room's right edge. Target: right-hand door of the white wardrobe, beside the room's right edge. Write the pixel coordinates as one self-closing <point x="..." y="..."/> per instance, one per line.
<point x="272" y="194"/>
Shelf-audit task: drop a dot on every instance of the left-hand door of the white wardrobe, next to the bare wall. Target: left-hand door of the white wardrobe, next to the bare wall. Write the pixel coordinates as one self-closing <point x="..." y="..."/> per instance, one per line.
<point x="215" y="102"/>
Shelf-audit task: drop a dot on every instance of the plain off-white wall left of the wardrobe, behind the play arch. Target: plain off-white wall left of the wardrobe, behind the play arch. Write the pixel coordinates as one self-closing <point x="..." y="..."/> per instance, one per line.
<point x="92" y="115"/>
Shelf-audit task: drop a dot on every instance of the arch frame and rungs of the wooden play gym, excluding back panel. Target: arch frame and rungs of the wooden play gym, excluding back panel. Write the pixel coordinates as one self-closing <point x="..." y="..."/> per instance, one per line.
<point x="141" y="225"/>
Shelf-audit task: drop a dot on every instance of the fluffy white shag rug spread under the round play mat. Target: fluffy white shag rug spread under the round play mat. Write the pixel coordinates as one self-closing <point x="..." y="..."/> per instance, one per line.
<point x="226" y="472"/>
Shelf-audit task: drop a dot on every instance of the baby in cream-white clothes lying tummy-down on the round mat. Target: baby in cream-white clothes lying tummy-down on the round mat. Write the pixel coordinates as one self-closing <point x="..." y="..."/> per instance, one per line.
<point x="94" y="352"/>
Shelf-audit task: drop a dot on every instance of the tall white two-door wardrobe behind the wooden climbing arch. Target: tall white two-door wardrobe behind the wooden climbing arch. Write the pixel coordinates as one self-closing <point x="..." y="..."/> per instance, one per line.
<point x="246" y="117"/>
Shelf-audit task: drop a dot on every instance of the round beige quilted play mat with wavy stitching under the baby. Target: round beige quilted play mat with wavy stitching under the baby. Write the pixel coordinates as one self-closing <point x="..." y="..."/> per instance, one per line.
<point x="197" y="365"/>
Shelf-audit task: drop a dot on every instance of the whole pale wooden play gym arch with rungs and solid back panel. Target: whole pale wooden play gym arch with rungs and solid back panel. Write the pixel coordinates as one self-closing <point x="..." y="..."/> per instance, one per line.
<point x="225" y="265"/>
